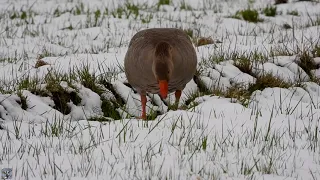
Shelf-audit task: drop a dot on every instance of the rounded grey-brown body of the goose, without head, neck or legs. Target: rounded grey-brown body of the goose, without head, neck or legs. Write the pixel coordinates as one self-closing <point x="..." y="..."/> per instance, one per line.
<point x="140" y="55"/>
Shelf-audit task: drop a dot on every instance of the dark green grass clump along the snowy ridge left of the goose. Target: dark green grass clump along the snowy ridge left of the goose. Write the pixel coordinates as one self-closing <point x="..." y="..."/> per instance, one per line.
<point x="61" y="97"/>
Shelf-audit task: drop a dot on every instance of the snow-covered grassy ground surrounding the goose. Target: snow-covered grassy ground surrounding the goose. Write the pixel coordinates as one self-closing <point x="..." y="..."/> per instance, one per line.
<point x="274" y="135"/>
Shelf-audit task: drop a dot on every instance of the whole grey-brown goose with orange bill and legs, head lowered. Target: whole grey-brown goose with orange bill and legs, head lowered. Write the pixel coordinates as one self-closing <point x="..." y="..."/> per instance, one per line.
<point x="160" y="61"/>
